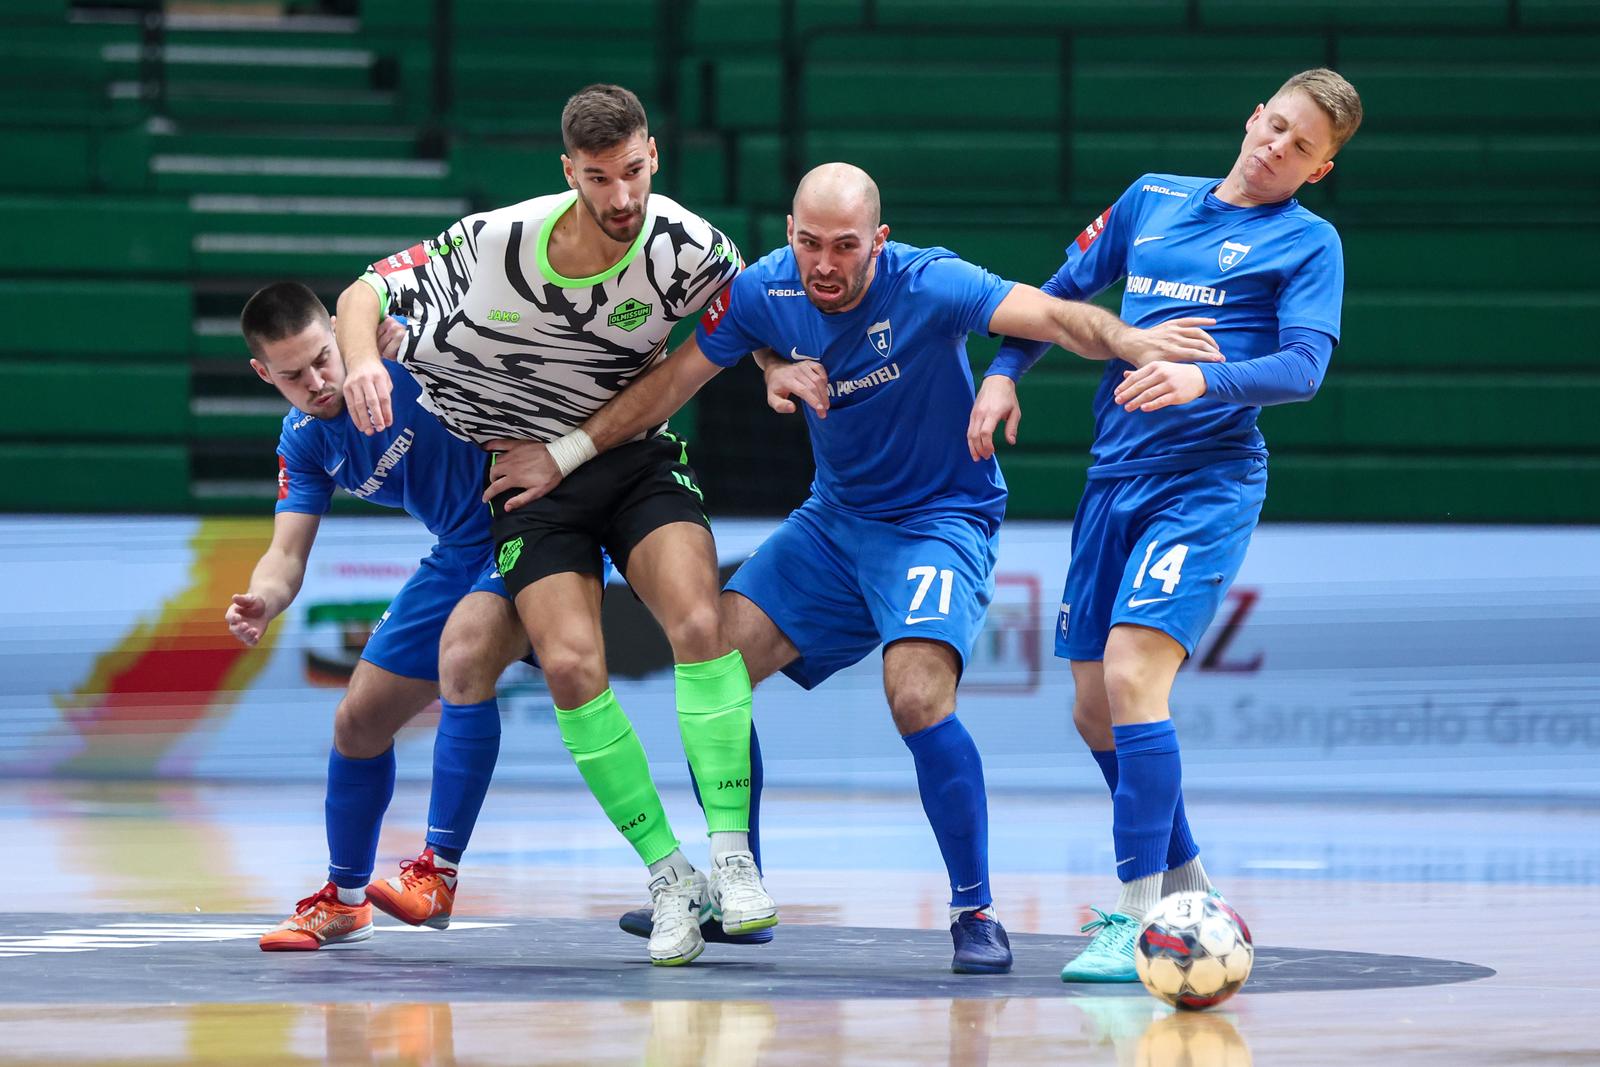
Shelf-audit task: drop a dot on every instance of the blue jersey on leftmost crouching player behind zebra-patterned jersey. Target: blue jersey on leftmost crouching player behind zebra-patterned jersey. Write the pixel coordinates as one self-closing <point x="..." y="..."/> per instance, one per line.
<point x="417" y="466"/>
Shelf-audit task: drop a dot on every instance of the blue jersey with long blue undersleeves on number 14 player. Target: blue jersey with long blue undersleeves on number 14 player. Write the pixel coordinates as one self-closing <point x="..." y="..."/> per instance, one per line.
<point x="1273" y="278"/>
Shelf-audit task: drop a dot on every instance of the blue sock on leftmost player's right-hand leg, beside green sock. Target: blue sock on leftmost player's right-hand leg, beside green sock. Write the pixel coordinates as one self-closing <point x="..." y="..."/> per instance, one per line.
<point x="465" y="754"/>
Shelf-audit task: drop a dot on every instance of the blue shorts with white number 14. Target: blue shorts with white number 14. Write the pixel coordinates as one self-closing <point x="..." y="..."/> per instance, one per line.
<point x="1158" y="551"/>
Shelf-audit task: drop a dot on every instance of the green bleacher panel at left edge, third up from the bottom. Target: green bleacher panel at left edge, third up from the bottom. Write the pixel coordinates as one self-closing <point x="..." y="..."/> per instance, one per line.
<point x="97" y="319"/>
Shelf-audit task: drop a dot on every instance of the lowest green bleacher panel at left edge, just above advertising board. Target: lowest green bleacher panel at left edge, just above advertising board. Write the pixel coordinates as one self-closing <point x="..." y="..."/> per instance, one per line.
<point x="126" y="478"/>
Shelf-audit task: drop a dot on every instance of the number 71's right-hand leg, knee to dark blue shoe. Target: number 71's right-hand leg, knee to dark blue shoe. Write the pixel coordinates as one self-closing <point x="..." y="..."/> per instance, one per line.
<point x="919" y="681"/>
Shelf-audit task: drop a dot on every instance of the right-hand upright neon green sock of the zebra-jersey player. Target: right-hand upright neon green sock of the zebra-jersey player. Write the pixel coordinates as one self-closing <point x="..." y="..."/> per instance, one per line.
<point x="714" y="719"/>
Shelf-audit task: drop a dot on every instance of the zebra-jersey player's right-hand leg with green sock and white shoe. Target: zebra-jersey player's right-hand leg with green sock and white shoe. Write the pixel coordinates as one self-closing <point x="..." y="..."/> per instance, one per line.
<point x="674" y="572"/>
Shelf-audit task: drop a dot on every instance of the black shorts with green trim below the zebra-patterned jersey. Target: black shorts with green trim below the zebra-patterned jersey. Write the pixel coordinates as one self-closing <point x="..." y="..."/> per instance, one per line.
<point x="612" y="503"/>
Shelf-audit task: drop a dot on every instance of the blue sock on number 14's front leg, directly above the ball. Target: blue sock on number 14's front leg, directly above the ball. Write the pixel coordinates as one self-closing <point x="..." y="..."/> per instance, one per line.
<point x="1150" y="778"/>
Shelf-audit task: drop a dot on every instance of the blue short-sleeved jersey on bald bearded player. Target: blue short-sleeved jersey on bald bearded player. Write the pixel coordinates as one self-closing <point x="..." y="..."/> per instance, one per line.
<point x="894" y="444"/>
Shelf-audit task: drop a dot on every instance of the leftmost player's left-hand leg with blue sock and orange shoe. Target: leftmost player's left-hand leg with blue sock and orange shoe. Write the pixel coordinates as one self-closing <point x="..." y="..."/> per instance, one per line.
<point x="361" y="783"/>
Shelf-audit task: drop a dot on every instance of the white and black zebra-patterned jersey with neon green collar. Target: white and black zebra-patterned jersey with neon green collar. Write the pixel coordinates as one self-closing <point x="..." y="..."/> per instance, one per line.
<point x="505" y="346"/>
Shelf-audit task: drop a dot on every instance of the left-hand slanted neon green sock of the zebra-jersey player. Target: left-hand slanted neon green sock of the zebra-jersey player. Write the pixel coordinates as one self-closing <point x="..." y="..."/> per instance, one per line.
<point x="612" y="761"/>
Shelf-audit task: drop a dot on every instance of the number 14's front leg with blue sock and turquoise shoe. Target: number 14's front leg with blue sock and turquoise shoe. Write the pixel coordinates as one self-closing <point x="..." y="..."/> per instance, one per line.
<point x="1137" y="676"/>
